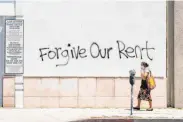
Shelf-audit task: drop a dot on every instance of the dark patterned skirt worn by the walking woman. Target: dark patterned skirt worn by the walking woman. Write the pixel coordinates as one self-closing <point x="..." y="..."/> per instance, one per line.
<point x="144" y="94"/>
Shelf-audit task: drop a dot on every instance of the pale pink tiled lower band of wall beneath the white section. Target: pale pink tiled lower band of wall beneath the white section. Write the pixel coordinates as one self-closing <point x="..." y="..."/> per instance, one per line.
<point x="81" y="93"/>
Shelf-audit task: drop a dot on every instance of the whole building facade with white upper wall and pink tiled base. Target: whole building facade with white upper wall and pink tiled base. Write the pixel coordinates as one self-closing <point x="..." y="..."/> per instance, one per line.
<point x="77" y="56"/>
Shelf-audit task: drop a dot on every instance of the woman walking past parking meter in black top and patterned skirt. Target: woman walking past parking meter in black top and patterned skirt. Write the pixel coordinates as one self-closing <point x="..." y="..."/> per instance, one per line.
<point x="145" y="92"/>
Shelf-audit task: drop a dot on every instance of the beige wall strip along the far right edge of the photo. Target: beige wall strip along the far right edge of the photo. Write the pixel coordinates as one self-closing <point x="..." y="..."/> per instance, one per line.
<point x="178" y="54"/>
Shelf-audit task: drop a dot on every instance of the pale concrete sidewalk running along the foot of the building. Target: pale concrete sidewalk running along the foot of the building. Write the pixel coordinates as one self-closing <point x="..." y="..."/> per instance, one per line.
<point x="80" y="115"/>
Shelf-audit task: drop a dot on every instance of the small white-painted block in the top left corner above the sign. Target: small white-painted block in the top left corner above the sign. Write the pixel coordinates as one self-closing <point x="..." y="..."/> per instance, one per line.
<point x="7" y="9"/>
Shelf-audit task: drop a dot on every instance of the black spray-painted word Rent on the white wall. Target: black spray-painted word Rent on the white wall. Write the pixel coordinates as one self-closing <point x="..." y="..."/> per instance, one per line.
<point x="131" y="52"/>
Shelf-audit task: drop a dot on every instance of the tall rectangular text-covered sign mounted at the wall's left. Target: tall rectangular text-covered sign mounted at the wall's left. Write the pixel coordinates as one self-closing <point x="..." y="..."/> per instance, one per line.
<point x="14" y="59"/>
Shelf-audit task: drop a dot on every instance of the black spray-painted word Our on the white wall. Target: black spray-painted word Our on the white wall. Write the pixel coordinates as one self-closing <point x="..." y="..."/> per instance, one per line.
<point x="105" y="53"/>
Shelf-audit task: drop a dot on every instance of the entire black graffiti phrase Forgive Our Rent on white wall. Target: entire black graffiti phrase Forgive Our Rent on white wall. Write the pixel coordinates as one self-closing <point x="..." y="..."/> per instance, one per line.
<point x="95" y="51"/>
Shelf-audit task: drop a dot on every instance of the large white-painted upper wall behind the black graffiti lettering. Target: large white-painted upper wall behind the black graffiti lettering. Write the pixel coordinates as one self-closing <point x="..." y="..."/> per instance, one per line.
<point x="55" y="24"/>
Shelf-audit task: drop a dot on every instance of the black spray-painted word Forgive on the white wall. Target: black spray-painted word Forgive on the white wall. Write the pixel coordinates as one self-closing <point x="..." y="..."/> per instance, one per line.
<point x="58" y="53"/>
